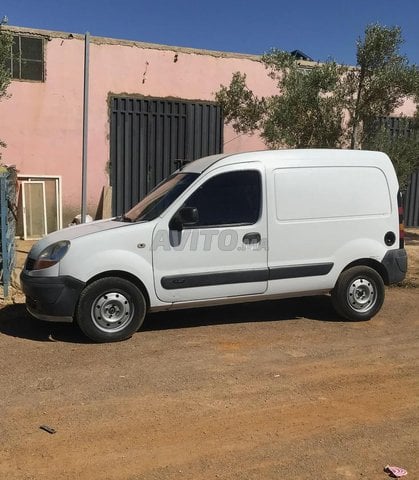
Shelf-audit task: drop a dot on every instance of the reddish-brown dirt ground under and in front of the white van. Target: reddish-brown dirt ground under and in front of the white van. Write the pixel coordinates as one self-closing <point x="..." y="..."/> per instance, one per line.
<point x="273" y="390"/>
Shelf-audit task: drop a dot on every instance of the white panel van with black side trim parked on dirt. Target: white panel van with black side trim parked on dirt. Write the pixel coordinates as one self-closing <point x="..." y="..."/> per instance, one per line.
<point x="229" y="228"/>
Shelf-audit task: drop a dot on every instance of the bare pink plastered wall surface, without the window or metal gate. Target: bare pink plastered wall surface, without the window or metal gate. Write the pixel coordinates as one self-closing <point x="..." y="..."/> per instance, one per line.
<point x="42" y="121"/>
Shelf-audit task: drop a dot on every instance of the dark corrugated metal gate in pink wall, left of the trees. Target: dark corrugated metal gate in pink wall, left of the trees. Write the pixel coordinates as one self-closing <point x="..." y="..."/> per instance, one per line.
<point x="147" y="137"/>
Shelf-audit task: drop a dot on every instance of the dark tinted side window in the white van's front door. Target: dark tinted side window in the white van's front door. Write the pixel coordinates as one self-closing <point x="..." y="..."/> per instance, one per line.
<point x="228" y="199"/>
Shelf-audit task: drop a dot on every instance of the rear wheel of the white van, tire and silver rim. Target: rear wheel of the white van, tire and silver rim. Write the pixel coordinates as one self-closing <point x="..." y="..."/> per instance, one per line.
<point x="358" y="293"/>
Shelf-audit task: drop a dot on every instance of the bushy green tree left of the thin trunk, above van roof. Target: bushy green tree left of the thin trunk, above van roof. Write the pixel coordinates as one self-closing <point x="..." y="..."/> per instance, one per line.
<point x="307" y="112"/>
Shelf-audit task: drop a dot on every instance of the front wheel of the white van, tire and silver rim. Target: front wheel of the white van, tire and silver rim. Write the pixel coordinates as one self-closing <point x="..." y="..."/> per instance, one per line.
<point x="110" y="309"/>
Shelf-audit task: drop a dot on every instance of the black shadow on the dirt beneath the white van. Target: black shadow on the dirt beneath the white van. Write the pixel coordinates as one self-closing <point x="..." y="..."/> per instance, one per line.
<point x="15" y="321"/>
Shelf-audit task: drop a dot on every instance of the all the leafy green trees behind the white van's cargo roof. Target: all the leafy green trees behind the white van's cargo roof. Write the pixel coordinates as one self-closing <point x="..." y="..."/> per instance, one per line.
<point x="327" y="105"/>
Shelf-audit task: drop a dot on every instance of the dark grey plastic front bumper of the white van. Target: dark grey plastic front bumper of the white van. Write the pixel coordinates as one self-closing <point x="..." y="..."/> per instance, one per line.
<point x="51" y="298"/>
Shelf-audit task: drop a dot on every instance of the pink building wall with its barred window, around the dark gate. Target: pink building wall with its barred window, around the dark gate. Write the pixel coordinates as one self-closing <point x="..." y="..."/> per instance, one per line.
<point x="148" y="106"/>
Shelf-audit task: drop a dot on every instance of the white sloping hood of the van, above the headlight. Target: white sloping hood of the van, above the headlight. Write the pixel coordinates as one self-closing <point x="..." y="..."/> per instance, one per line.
<point x="71" y="233"/>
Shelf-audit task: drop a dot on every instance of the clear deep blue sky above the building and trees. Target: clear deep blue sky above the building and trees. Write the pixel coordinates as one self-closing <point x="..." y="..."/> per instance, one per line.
<point x="322" y="29"/>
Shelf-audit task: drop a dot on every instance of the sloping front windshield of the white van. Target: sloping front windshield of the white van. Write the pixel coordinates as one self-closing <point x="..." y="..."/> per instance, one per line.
<point x="156" y="202"/>
